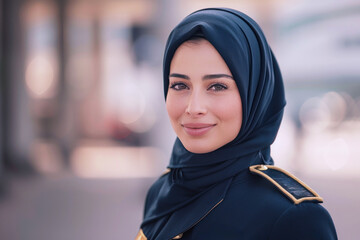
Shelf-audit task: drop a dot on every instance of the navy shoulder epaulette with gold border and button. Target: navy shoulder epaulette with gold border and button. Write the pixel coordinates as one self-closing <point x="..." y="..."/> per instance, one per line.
<point x="287" y="183"/>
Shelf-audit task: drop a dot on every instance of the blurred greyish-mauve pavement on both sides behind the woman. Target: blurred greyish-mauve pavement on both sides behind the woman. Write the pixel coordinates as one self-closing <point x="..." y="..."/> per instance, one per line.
<point x="69" y="208"/>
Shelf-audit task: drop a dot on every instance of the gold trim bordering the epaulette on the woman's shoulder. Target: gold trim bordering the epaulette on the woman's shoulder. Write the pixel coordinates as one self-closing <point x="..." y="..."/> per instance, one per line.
<point x="257" y="169"/>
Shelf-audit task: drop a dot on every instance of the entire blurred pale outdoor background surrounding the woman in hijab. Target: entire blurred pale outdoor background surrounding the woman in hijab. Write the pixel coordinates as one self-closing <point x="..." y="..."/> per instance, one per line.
<point x="83" y="125"/>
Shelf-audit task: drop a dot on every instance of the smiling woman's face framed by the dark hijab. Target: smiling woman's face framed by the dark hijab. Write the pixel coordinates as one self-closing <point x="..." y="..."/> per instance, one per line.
<point x="203" y="101"/>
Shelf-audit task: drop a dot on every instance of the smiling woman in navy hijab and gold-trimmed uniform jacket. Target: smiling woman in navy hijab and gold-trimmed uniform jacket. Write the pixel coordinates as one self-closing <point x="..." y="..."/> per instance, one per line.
<point x="225" y="98"/>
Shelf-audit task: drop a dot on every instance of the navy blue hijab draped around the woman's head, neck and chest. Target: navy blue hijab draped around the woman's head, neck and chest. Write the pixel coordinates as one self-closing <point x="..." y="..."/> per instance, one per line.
<point x="198" y="182"/>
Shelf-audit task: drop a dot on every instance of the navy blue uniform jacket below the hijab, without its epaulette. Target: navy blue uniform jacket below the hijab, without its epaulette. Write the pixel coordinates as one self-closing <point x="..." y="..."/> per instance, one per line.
<point x="254" y="208"/>
